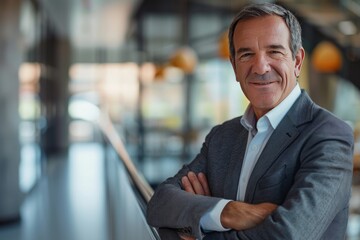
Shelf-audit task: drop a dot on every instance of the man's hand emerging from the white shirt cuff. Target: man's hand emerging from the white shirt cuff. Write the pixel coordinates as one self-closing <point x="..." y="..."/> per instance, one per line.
<point x="240" y="216"/>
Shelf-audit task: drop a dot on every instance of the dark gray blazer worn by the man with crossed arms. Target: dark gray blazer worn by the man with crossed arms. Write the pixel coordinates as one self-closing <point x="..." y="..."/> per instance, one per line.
<point x="305" y="168"/>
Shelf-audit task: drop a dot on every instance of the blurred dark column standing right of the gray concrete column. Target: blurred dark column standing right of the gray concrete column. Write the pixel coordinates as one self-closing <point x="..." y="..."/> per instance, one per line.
<point x="54" y="55"/>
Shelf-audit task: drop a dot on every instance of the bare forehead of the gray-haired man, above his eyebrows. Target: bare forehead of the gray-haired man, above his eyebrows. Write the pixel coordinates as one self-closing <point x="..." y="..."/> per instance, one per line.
<point x="262" y="30"/>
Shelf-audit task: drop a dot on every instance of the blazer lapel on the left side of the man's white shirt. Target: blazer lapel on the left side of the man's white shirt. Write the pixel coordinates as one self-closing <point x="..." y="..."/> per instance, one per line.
<point x="234" y="168"/>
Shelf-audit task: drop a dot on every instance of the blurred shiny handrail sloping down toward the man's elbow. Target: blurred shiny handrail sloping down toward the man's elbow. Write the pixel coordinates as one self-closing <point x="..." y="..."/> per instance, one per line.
<point x="110" y="132"/>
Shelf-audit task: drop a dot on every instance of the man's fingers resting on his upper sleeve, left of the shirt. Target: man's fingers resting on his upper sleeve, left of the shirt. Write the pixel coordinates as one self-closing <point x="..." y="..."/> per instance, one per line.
<point x="196" y="184"/>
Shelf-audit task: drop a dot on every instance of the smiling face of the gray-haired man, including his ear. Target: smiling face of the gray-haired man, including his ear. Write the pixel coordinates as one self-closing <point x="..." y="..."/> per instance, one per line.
<point x="263" y="62"/>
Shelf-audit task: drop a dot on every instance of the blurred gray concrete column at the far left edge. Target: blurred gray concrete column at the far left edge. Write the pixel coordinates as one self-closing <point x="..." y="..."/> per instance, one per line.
<point x="10" y="59"/>
